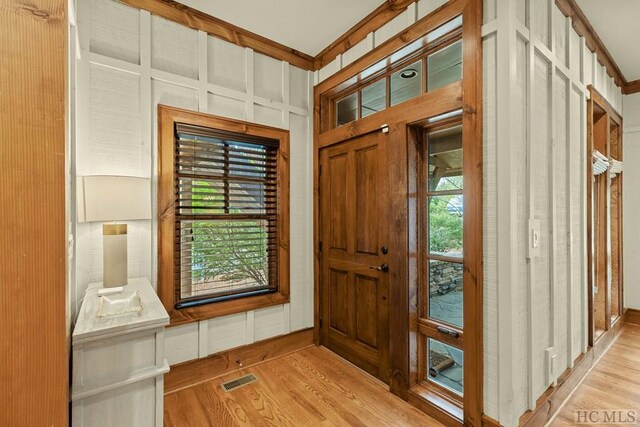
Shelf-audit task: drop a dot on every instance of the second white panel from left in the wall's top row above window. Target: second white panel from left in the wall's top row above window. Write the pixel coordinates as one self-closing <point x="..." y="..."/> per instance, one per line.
<point x="174" y="48"/>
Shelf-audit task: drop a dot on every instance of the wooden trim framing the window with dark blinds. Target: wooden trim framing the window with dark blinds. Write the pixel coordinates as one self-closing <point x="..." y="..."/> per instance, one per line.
<point x="167" y="118"/>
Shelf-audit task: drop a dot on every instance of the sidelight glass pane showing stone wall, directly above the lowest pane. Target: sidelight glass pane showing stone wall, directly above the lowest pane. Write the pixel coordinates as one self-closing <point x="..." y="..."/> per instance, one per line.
<point x="445" y="292"/>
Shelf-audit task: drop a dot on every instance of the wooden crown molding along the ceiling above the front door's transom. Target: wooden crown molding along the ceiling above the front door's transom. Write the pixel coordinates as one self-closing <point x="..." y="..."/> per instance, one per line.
<point x="376" y="19"/>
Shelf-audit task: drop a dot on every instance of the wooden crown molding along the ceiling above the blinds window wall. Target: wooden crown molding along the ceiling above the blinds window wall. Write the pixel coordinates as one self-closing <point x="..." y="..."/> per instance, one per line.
<point x="193" y="18"/>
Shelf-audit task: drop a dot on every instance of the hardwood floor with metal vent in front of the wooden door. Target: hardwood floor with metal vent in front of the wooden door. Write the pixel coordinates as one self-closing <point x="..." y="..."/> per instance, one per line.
<point x="310" y="387"/>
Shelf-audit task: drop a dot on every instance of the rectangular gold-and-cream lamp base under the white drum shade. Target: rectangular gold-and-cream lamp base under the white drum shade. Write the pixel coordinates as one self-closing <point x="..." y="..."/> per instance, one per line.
<point x="114" y="255"/>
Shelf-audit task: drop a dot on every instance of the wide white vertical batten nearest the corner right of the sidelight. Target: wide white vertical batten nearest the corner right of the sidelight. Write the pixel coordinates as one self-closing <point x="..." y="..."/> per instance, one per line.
<point x="507" y="206"/>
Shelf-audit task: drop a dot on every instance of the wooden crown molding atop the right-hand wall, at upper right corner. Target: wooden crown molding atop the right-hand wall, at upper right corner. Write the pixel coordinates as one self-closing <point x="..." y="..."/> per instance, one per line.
<point x="584" y="28"/>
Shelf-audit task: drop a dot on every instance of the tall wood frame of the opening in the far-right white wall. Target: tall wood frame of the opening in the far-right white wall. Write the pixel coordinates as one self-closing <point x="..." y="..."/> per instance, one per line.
<point x="597" y="101"/>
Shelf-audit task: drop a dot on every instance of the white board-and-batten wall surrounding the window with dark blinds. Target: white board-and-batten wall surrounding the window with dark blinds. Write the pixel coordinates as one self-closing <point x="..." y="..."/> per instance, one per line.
<point x="131" y="61"/>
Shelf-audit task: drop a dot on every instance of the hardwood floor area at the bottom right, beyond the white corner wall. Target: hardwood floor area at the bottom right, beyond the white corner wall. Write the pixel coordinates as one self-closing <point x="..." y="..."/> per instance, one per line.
<point x="612" y="385"/>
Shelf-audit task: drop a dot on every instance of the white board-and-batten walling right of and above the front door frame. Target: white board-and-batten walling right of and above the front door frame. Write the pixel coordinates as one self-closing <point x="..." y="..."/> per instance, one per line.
<point x="536" y="72"/>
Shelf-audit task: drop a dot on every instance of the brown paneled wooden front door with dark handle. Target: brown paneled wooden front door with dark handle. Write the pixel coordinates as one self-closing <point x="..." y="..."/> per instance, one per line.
<point x="354" y="199"/>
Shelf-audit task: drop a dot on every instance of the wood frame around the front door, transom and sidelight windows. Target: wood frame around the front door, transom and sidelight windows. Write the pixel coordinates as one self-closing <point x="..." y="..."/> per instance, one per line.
<point x="467" y="96"/>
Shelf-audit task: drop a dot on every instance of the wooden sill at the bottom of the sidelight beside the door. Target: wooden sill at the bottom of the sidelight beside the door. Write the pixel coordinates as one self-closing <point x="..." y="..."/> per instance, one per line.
<point x="437" y="405"/>
